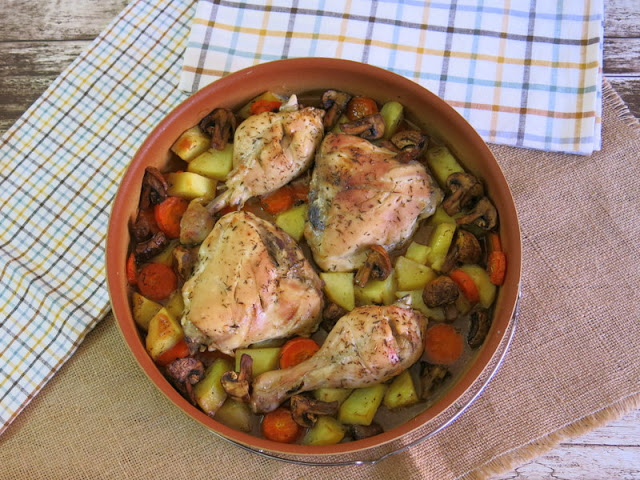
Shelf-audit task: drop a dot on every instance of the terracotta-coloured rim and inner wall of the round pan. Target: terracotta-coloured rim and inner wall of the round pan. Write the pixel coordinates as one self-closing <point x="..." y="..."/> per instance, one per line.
<point x="302" y="75"/>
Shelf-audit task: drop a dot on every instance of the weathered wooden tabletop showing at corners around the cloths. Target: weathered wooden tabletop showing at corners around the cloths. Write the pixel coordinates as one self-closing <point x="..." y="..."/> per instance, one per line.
<point x="39" y="39"/>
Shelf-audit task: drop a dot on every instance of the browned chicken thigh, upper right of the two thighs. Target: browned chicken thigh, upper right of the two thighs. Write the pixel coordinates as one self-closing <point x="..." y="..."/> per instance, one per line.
<point x="362" y="196"/>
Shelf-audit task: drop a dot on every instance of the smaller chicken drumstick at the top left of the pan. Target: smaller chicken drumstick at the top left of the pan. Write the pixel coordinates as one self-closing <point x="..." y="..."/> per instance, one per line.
<point x="270" y="150"/>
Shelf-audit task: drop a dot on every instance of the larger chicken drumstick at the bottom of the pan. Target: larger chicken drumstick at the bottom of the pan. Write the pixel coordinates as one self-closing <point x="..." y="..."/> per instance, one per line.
<point x="367" y="346"/>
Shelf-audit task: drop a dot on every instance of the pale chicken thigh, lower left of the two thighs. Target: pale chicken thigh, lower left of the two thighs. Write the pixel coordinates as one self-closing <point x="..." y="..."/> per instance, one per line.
<point x="251" y="283"/>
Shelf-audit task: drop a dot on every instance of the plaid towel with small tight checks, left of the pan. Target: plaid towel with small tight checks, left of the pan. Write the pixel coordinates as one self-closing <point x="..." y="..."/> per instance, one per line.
<point x="61" y="164"/>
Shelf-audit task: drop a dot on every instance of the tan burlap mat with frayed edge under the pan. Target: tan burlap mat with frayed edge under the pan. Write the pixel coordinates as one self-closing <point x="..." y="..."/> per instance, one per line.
<point x="574" y="363"/>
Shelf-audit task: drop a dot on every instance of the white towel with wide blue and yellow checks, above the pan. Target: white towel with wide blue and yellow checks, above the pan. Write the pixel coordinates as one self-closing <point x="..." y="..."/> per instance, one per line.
<point x="523" y="72"/>
